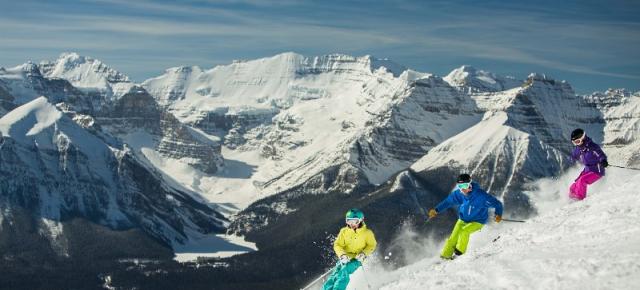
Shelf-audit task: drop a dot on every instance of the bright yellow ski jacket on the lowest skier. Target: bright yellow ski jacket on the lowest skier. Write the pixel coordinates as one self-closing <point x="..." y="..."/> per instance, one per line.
<point x="352" y="242"/>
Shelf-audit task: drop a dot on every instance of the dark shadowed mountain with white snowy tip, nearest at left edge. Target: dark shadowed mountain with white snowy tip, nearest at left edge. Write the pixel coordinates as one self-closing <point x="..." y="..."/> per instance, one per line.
<point x="57" y="169"/>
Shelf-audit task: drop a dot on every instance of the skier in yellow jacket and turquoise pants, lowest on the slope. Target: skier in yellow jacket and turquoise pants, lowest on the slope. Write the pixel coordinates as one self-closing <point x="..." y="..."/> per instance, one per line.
<point x="354" y="243"/>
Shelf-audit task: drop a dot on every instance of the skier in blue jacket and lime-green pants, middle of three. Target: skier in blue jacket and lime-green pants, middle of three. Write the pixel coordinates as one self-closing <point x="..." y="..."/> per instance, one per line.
<point x="473" y="211"/>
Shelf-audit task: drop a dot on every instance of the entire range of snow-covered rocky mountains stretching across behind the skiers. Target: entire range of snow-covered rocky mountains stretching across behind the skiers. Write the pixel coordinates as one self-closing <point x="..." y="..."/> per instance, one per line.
<point x="254" y="146"/>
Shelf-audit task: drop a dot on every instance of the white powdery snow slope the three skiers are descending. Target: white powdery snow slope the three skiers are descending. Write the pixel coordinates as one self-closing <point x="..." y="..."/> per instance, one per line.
<point x="590" y="244"/>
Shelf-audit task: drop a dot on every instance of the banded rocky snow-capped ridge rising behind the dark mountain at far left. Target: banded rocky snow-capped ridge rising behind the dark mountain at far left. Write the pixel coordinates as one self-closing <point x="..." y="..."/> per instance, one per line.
<point x="106" y="97"/>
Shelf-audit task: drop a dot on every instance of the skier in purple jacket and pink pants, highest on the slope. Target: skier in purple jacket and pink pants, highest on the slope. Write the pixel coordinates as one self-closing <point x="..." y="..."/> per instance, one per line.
<point x="594" y="160"/>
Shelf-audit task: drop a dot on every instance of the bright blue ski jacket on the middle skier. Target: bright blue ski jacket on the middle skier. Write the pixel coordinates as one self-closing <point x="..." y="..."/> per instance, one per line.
<point x="473" y="207"/>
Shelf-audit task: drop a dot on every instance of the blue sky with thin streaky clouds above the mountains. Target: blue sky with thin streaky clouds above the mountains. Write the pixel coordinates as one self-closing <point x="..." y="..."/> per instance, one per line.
<point x="592" y="44"/>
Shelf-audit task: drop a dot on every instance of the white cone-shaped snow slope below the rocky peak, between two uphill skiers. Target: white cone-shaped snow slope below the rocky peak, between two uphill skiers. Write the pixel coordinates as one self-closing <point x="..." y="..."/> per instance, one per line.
<point x="502" y="161"/>
